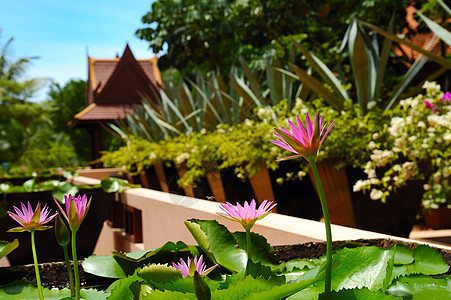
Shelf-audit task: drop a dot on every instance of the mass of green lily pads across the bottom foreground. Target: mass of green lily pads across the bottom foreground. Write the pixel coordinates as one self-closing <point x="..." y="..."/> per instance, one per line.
<point x="358" y="273"/>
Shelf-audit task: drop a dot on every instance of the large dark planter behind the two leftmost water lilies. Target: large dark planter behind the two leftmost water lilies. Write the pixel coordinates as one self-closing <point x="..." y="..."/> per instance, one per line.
<point x="47" y="248"/>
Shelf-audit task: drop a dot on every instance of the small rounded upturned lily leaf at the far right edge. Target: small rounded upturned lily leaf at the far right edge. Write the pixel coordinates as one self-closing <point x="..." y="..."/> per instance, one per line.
<point x="427" y="261"/>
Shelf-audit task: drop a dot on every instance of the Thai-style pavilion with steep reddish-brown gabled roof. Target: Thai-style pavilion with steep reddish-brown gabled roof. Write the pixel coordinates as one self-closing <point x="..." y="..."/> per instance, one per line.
<point x="114" y="86"/>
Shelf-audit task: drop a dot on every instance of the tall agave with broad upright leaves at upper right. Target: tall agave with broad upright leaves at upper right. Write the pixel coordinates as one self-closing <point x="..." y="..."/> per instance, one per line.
<point x="368" y="64"/>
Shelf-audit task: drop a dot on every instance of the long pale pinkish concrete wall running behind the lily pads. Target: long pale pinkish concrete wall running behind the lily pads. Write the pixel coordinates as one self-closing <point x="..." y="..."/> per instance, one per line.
<point x="163" y="217"/>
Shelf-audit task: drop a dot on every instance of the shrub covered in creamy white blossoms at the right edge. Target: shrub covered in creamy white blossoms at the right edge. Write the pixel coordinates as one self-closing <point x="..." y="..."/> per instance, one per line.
<point x="415" y="145"/>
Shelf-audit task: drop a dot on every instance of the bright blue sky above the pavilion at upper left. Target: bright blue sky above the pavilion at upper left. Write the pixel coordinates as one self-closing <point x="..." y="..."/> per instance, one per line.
<point x="62" y="32"/>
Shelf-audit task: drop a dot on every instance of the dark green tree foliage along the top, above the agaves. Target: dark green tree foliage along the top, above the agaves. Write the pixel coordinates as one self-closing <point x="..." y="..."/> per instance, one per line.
<point x="207" y="35"/>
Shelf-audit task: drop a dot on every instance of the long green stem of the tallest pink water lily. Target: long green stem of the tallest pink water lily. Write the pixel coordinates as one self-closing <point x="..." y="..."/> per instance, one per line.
<point x="322" y="198"/>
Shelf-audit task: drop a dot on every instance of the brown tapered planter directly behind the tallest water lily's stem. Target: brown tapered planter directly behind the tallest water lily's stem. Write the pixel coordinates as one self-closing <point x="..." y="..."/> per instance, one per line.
<point x="336" y="189"/>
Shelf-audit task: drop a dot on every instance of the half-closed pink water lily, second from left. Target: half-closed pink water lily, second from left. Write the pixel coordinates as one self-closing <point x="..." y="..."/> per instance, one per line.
<point x="76" y="210"/>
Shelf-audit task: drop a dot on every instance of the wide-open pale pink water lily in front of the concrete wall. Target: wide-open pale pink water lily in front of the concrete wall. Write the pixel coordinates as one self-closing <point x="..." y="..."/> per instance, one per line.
<point x="247" y="214"/>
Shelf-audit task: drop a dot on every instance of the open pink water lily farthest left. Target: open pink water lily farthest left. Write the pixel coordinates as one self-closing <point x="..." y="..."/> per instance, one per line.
<point x="31" y="220"/>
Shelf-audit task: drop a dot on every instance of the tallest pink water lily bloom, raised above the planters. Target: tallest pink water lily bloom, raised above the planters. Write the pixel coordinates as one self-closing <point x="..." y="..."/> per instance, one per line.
<point x="302" y="140"/>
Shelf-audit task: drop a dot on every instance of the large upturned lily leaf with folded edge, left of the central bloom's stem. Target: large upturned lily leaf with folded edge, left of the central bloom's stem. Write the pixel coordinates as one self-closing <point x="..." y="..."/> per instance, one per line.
<point x="217" y="243"/>
